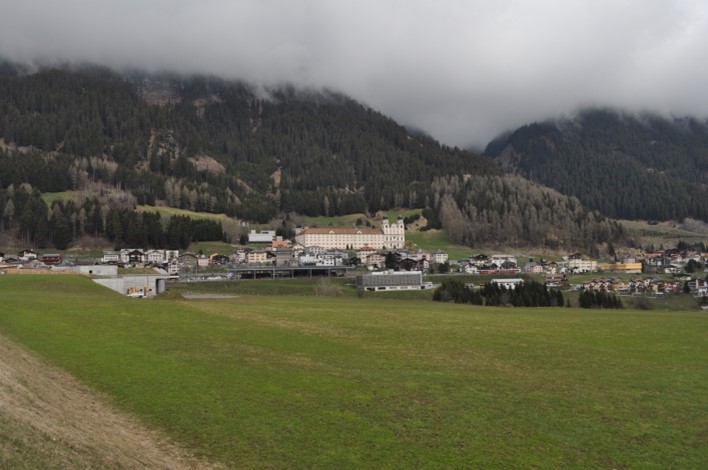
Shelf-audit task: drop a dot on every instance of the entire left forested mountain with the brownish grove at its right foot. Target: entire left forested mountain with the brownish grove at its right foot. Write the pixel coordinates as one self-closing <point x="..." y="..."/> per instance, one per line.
<point x="210" y="145"/>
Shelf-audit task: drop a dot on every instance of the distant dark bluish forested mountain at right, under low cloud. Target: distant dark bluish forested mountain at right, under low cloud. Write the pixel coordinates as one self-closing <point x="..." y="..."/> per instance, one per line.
<point x="630" y="167"/>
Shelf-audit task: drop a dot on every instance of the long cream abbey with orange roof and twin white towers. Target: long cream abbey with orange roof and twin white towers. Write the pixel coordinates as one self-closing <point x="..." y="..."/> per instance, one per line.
<point x="387" y="237"/>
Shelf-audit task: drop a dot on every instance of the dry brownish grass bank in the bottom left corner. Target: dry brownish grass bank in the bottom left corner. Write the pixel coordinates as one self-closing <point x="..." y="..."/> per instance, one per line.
<point x="48" y="419"/>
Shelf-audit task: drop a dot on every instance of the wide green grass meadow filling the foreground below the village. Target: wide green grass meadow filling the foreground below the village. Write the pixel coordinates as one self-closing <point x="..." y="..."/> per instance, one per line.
<point x="318" y="382"/>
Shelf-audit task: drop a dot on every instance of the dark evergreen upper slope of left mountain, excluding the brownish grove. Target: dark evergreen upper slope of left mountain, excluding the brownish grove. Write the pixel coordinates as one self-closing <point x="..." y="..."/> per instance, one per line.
<point x="208" y="144"/>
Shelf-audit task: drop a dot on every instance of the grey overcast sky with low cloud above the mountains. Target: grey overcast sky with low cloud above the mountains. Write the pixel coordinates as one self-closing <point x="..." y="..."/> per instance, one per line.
<point x="461" y="70"/>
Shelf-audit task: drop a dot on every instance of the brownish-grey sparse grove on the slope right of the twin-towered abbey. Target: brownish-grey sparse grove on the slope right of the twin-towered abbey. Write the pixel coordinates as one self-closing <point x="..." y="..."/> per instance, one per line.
<point x="484" y="210"/>
